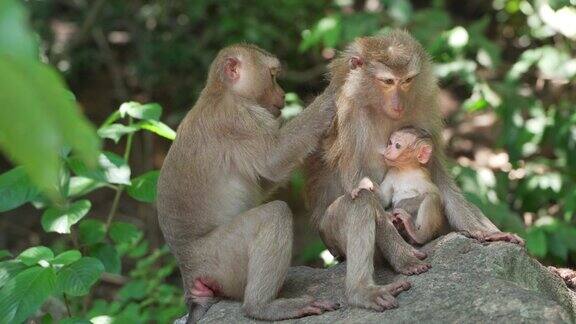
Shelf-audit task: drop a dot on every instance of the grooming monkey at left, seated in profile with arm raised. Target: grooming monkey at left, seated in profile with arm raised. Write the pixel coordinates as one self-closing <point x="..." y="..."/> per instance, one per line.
<point x="227" y="242"/>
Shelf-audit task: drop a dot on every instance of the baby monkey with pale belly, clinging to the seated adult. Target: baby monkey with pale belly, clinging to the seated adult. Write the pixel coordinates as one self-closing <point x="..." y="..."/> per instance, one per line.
<point x="416" y="200"/>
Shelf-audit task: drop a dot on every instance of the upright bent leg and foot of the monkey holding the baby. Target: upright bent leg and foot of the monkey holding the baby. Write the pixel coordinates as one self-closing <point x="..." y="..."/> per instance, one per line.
<point x="349" y="228"/>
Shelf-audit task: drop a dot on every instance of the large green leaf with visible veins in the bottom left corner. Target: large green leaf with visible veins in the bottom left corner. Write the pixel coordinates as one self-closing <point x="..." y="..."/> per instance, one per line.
<point x="25" y="293"/>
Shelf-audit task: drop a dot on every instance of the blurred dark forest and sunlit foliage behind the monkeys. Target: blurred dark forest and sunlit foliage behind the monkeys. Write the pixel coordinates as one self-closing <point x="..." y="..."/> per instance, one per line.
<point x="506" y="69"/>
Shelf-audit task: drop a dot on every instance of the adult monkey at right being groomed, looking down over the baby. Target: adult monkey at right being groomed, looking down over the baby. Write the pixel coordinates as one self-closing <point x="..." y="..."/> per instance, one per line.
<point x="379" y="84"/>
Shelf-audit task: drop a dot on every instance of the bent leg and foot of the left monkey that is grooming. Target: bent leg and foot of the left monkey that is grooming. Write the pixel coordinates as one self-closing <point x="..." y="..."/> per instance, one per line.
<point x="248" y="259"/>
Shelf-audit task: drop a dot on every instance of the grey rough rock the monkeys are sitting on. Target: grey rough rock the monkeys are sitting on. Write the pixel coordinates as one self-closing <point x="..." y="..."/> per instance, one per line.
<point x="468" y="283"/>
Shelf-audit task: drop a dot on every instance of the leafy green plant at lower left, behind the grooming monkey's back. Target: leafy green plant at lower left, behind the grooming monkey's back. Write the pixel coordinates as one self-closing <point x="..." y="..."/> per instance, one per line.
<point x="28" y="280"/>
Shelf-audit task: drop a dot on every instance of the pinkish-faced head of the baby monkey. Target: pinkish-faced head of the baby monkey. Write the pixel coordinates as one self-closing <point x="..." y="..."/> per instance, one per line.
<point x="408" y="147"/>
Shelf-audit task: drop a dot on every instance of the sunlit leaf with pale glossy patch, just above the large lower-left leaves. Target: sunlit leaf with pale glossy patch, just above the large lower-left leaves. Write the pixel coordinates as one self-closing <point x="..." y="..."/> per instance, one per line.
<point x="60" y="220"/>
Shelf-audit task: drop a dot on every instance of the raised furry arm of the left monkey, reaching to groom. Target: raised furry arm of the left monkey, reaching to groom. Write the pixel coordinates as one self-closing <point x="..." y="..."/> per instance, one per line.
<point x="299" y="137"/>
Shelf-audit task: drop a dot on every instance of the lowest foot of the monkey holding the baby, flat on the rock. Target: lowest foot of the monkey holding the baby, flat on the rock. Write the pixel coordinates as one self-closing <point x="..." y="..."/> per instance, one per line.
<point x="378" y="298"/>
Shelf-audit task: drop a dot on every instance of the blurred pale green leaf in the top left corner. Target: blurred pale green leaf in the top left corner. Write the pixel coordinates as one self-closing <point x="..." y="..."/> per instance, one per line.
<point x="16" y="38"/>
